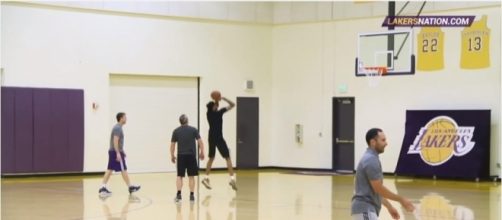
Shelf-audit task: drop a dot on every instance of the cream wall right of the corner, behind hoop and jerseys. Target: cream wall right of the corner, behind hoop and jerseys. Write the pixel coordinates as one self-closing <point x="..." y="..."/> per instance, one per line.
<point x="317" y="57"/>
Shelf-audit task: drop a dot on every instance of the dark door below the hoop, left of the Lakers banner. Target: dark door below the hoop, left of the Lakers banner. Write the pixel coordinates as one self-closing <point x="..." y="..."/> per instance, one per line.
<point x="343" y="134"/>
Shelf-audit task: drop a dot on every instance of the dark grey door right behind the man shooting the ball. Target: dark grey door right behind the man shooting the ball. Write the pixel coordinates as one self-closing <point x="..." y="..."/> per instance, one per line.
<point x="247" y="132"/>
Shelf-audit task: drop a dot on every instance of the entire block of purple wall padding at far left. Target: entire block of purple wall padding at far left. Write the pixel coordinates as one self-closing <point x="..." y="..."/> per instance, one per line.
<point x="42" y="130"/>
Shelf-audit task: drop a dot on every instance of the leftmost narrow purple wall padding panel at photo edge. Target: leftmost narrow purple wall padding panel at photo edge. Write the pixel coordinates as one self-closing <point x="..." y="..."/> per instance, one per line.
<point x="8" y="144"/>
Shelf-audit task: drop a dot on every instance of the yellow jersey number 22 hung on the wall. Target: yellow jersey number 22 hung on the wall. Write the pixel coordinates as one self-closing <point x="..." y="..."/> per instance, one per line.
<point x="430" y="49"/>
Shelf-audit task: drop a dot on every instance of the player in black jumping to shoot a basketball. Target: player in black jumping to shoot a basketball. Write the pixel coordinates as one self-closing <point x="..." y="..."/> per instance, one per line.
<point x="215" y="120"/>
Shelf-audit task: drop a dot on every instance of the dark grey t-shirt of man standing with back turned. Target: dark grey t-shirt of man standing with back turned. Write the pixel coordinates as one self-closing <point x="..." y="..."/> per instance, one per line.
<point x="185" y="136"/>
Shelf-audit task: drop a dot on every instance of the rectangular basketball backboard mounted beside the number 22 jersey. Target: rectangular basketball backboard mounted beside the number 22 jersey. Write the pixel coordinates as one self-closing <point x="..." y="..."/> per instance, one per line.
<point x="391" y="49"/>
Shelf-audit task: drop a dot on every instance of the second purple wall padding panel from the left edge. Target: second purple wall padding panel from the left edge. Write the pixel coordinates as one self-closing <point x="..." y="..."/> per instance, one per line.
<point x="23" y="131"/>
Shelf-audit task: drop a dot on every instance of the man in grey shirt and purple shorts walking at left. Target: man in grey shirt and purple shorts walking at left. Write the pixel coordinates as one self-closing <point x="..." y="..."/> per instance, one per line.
<point x="116" y="157"/>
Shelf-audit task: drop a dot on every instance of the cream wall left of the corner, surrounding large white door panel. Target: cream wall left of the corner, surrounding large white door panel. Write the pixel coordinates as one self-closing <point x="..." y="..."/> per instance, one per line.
<point x="51" y="47"/>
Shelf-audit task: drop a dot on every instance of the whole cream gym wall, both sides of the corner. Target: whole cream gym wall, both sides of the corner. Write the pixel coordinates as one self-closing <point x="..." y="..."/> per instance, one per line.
<point x="296" y="69"/>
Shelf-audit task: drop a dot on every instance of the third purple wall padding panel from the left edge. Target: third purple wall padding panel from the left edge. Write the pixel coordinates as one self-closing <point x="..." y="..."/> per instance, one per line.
<point x="42" y="134"/>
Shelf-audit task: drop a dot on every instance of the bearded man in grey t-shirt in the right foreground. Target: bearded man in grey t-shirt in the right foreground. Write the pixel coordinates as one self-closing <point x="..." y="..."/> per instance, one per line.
<point x="370" y="193"/>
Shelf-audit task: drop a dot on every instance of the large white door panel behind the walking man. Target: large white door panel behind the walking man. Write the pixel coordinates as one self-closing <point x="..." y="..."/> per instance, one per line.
<point x="152" y="105"/>
